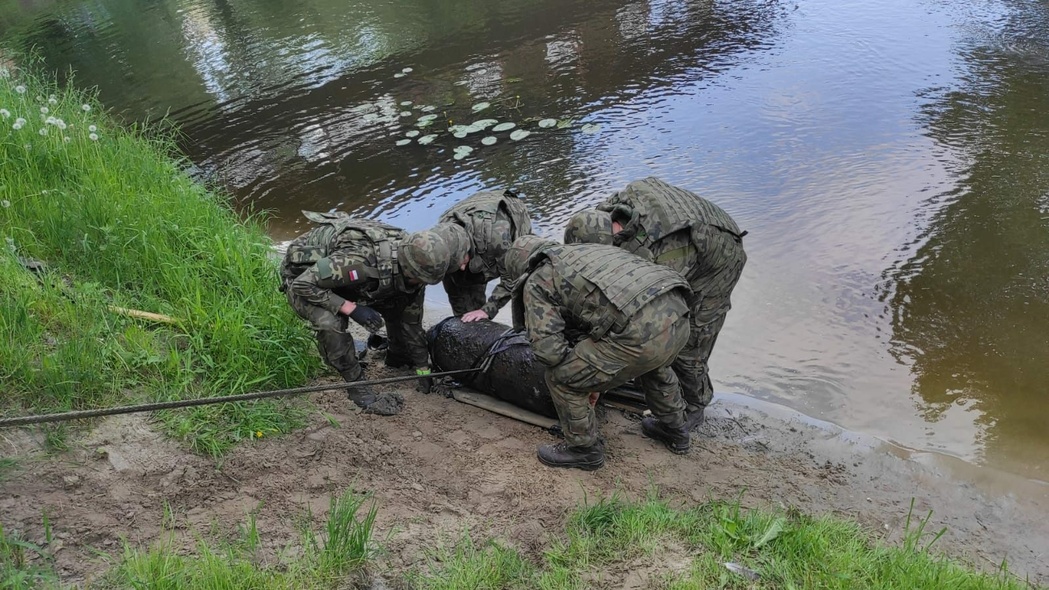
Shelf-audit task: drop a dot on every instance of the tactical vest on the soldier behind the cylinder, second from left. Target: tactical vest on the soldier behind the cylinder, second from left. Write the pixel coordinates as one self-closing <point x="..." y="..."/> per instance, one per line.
<point x="478" y="213"/>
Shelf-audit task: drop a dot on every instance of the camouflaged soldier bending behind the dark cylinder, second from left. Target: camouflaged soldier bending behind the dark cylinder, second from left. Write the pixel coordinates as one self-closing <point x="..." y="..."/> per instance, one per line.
<point x="494" y="221"/>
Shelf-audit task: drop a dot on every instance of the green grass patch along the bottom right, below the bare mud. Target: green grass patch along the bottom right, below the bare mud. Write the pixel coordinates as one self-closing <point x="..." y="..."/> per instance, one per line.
<point x="688" y="549"/>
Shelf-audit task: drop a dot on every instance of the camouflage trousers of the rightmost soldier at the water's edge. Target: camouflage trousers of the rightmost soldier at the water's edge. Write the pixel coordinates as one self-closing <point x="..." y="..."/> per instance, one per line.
<point x="710" y="306"/>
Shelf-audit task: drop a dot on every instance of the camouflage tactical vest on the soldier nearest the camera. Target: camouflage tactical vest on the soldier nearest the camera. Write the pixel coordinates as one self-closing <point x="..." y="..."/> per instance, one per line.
<point x="629" y="283"/>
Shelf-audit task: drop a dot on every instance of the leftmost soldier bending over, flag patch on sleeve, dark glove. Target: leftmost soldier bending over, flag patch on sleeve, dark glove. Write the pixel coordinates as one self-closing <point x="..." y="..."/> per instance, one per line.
<point x="357" y="269"/>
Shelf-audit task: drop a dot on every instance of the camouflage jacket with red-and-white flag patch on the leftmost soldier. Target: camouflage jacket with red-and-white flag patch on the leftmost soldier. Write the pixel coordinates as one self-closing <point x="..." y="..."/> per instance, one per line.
<point x="346" y="259"/>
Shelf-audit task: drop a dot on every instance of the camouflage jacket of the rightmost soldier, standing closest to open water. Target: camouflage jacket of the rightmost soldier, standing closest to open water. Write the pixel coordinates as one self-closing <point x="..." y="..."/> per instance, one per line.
<point x="669" y="226"/>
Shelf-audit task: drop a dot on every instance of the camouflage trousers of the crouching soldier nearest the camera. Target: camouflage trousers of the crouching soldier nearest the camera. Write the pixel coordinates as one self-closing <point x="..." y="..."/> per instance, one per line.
<point x="643" y="351"/>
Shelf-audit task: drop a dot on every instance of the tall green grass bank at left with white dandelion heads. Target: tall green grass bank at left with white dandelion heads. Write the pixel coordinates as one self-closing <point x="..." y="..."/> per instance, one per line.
<point x="119" y="224"/>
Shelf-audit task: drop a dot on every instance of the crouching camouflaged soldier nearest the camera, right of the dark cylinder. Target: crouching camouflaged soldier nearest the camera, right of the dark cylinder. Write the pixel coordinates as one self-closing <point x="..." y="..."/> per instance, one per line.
<point x="632" y="320"/>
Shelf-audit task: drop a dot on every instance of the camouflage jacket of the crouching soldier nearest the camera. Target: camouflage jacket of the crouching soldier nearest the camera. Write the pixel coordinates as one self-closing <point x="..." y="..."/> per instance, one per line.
<point x="586" y="289"/>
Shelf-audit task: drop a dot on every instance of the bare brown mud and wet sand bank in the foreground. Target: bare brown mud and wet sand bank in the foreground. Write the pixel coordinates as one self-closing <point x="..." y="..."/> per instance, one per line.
<point x="441" y="468"/>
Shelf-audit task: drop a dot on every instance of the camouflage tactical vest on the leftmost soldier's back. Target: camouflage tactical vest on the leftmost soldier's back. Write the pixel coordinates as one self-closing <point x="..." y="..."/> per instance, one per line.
<point x="337" y="231"/>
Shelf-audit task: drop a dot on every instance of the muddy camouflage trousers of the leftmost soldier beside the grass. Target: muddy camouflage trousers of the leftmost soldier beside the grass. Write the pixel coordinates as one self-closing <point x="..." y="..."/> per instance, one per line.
<point x="404" y="328"/>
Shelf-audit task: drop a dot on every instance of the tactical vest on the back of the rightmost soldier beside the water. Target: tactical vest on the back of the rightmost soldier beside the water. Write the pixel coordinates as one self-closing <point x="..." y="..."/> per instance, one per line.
<point x="667" y="209"/>
